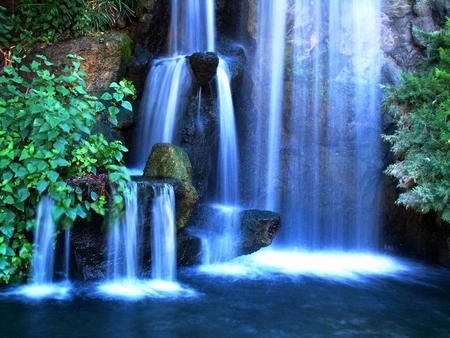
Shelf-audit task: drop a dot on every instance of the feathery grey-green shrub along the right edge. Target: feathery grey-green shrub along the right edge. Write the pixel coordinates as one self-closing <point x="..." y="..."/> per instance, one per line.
<point x="421" y="109"/>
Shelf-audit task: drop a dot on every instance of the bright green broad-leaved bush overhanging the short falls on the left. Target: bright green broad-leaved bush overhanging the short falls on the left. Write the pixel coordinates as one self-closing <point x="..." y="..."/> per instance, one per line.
<point x="46" y="118"/>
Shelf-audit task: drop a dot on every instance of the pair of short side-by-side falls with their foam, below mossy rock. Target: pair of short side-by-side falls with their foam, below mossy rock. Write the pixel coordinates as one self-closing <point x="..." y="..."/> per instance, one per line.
<point x="126" y="278"/>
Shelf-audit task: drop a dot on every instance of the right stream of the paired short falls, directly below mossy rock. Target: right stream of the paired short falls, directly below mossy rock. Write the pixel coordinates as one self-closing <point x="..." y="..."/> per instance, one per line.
<point x="163" y="233"/>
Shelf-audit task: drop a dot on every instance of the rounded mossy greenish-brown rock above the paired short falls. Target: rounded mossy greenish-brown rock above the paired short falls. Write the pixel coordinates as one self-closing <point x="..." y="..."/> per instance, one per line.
<point x="169" y="161"/>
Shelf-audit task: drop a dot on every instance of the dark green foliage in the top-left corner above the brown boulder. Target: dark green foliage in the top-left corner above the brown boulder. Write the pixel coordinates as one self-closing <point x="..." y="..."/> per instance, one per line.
<point x="47" y="21"/>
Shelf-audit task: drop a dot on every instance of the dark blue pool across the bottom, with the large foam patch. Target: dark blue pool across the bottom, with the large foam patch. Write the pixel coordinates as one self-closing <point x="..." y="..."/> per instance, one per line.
<point x="254" y="297"/>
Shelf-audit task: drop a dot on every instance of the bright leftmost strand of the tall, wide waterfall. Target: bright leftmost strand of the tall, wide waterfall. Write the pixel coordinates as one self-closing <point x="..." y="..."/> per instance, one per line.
<point x="269" y="73"/>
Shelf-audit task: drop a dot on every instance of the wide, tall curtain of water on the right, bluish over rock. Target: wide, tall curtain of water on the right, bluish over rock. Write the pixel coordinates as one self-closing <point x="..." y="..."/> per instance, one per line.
<point x="318" y="131"/>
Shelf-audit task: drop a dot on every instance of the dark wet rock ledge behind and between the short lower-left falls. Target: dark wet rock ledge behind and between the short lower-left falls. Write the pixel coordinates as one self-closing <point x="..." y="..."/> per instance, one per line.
<point x="89" y="238"/>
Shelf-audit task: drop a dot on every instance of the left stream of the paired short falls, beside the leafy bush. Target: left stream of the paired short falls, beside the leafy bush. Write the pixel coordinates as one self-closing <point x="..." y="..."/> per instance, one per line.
<point x="123" y="241"/>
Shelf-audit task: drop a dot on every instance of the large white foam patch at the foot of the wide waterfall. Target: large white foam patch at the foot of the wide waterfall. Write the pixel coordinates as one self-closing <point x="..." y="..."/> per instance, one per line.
<point x="322" y="264"/>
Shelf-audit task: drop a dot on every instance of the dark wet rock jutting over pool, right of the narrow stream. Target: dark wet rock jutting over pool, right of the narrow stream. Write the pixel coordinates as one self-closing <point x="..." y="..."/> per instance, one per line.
<point x="258" y="229"/>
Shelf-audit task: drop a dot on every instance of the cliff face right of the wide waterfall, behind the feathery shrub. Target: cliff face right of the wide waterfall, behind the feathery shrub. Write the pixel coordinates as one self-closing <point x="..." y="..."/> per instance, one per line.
<point x="406" y="231"/>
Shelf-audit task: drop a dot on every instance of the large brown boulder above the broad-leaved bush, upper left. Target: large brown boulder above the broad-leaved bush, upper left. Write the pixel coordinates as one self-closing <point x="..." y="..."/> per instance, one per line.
<point x="106" y="57"/>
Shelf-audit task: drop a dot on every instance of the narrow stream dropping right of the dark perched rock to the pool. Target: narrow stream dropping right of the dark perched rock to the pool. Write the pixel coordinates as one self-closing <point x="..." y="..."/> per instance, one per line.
<point x="220" y="244"/>
